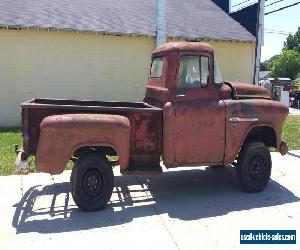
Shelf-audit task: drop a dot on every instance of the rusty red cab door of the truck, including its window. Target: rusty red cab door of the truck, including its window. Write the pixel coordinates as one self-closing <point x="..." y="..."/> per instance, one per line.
<point x="199" y="133"/>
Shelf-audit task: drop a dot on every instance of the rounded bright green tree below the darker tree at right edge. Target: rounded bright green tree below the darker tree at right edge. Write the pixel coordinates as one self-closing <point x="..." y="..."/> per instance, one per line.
<point x="287" y="64"/>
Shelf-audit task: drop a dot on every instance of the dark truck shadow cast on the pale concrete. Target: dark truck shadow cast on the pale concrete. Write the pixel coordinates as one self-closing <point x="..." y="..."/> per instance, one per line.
<point x="186" y="195"/>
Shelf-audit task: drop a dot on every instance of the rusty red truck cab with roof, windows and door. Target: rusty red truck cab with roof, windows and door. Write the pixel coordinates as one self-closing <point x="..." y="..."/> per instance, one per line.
<point x="185" y="81"/>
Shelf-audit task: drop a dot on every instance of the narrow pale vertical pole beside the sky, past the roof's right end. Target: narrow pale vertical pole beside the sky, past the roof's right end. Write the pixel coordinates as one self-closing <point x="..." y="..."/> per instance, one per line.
<point x="259" y="39"/>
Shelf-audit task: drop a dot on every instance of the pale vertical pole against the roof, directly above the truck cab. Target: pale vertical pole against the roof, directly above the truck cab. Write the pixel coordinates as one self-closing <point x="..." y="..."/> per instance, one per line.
<point x="161" y="22"/>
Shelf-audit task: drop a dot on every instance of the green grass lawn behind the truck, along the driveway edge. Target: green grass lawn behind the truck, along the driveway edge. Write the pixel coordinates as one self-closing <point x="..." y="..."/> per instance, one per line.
<point x="12" y="136"/>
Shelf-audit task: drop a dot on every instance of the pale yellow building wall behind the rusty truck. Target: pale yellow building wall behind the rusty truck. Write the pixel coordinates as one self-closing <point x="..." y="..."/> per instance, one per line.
<point x="89" y="66"/>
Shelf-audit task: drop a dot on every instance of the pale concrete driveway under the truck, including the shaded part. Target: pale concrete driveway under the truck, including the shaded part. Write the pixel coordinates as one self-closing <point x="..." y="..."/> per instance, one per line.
<point x="188" y="208"/>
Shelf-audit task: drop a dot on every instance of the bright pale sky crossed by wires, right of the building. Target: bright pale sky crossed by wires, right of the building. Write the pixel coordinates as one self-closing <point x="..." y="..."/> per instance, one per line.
<point x="277" y="25"/>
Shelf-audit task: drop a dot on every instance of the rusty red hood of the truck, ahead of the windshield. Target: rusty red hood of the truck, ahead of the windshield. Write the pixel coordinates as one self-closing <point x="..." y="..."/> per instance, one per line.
<point x="248" y="91"/>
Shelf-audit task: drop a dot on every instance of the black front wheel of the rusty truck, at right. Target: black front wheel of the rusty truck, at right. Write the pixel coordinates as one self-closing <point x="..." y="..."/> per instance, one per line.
<point x="254" y="166"/>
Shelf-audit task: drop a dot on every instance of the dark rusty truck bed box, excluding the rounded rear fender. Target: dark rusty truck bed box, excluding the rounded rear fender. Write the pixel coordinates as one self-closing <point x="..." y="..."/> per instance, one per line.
<point x="145" y="120"/>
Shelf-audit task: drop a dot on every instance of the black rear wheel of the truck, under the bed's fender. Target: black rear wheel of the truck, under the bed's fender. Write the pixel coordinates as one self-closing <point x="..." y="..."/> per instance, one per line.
<point x="92" y="182"/>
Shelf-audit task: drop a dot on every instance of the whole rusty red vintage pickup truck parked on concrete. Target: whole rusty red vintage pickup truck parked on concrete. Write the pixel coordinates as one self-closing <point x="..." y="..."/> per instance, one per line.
<point x="189" y="117"/>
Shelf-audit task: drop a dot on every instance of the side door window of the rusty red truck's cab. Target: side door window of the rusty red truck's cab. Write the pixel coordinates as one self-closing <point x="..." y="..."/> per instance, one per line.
<point x="193" y="72"/>
